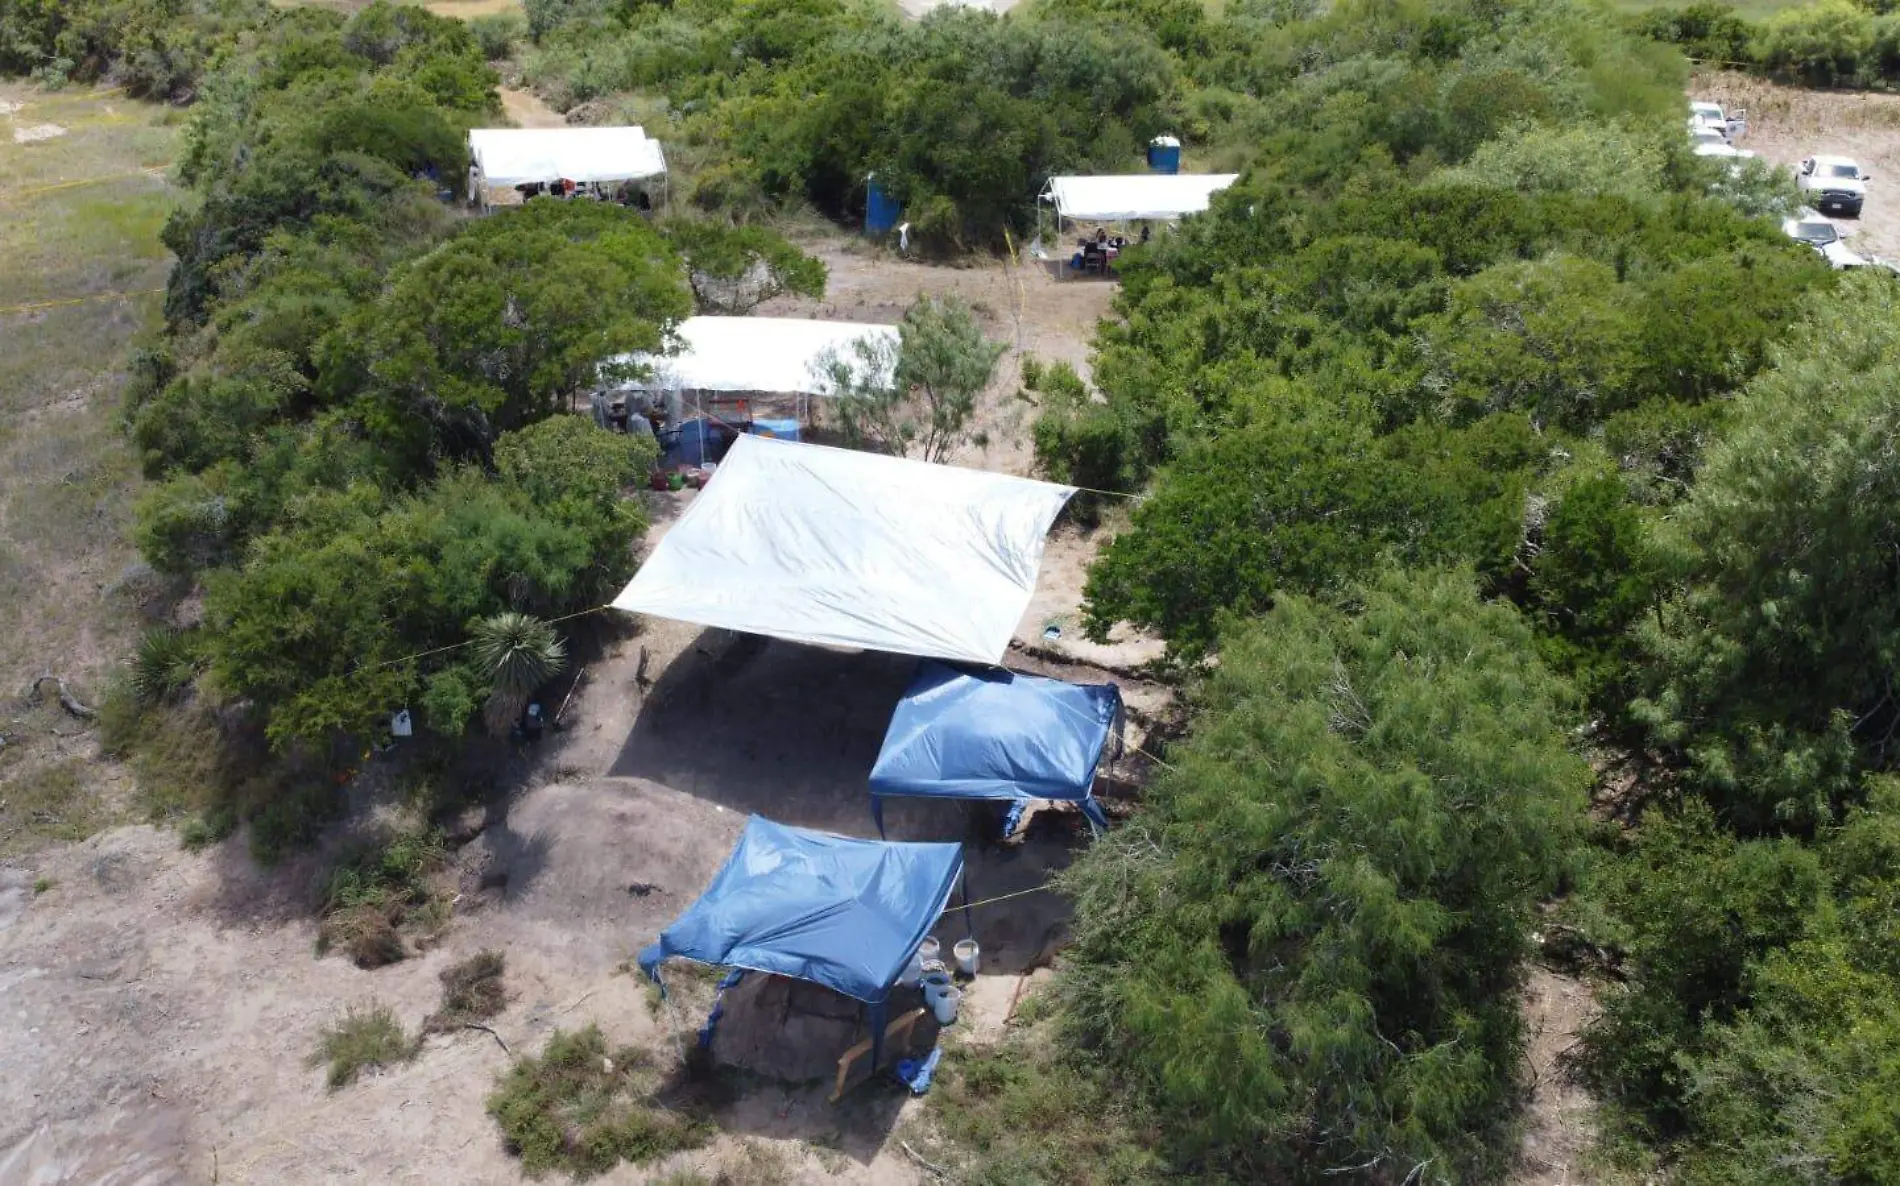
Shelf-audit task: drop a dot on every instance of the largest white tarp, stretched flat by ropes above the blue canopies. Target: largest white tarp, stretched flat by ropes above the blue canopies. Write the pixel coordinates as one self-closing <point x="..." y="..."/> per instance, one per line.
<point x="854" y="550"/>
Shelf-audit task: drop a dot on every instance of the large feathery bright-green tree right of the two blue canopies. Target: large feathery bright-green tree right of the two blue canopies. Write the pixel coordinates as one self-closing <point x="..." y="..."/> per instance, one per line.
<point x="1306" y="949"/>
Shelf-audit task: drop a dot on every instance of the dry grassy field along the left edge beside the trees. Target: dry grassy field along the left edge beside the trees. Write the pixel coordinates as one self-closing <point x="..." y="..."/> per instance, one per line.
<point x="79" y="220"/>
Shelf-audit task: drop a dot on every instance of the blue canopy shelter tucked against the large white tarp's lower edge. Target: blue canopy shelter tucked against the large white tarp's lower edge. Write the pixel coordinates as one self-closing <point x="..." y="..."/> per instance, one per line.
<point x="995" y="735"/>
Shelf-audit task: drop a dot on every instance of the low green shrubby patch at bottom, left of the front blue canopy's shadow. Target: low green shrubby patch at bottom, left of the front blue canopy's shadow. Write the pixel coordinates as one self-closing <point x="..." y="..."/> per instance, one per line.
<point x="582" y="1111"/>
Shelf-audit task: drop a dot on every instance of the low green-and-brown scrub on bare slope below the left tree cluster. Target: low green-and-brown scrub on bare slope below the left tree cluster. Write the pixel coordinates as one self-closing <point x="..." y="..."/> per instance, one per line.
<point x="379" y="892"/>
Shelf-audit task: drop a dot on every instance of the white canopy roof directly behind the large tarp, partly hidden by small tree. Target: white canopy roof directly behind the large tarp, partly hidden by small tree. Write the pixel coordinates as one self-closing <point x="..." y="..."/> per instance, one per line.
<point x="767" y="354"/>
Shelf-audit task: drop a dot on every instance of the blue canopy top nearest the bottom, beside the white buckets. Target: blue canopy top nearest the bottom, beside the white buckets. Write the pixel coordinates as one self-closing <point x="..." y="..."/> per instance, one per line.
<point x="820" y="908"/>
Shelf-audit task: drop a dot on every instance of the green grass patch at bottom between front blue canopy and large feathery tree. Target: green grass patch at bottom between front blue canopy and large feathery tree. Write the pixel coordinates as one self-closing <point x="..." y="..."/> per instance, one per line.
<point x="1023" y="1117"/>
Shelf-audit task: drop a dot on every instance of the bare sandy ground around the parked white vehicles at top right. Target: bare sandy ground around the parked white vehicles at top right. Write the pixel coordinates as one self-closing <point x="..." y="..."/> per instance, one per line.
<point x="1789" y="124"/>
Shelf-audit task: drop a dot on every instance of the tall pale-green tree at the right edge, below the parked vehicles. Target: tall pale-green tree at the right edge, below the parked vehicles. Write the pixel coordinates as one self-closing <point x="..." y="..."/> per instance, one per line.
<point x="1777" y="659"/>
